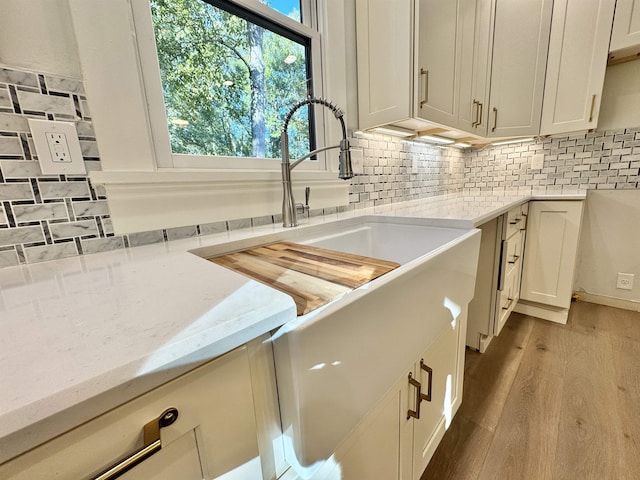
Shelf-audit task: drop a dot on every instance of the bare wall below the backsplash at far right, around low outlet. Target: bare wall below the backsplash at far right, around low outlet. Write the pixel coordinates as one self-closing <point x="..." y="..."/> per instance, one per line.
<point x="609" y="243"/>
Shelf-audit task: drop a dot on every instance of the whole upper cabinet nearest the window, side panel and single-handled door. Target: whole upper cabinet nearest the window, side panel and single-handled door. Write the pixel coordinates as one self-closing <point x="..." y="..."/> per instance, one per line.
<point x="408" y="62"/>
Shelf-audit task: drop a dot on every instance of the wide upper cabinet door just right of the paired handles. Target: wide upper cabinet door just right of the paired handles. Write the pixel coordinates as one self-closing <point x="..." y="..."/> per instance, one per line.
<point x="521" y="40"/>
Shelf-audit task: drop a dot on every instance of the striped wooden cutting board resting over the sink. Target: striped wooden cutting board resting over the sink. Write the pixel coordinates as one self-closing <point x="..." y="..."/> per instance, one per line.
<point x="312" y="276"/>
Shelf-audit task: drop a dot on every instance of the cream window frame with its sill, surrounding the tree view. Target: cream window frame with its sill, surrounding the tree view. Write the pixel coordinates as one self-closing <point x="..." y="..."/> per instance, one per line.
<point x="143" y="193"/>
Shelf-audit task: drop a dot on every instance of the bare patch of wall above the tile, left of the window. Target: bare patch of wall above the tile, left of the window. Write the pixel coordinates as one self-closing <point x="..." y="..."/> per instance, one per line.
<point x="38" y="35"/>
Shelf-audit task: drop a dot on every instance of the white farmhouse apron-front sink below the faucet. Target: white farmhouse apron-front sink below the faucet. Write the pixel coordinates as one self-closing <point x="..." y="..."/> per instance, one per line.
<point x="335" y="363"/>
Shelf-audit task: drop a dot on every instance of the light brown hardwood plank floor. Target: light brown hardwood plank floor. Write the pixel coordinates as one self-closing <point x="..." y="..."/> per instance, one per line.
<point x="550" y="402"/>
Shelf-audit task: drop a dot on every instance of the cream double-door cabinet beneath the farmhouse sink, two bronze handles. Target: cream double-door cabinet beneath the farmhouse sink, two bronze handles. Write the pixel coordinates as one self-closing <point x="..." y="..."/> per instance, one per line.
<point x="398" y="438"/>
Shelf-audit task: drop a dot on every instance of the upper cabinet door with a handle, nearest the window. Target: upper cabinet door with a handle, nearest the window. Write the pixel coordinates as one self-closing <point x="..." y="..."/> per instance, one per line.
<point x="437" y="52"/>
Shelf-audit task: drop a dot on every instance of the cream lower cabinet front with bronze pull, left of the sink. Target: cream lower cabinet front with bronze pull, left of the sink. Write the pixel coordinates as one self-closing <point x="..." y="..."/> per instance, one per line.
<point x="216" y="433"/>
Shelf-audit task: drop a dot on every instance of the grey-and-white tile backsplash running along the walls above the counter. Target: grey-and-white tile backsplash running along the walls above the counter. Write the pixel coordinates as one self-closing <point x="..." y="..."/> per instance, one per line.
<point x="44" y="217"/>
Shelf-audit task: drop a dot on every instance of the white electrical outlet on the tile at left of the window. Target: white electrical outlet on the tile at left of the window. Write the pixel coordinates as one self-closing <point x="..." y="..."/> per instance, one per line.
<point x="57" y="146"/>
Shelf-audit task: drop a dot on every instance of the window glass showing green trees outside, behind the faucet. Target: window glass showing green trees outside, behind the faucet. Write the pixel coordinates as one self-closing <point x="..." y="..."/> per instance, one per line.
<point x="229" y="76"/>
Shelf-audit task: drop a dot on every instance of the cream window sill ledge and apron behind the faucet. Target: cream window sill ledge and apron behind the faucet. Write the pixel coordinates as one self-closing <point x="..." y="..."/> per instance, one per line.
<point x="141" y="201"/>
